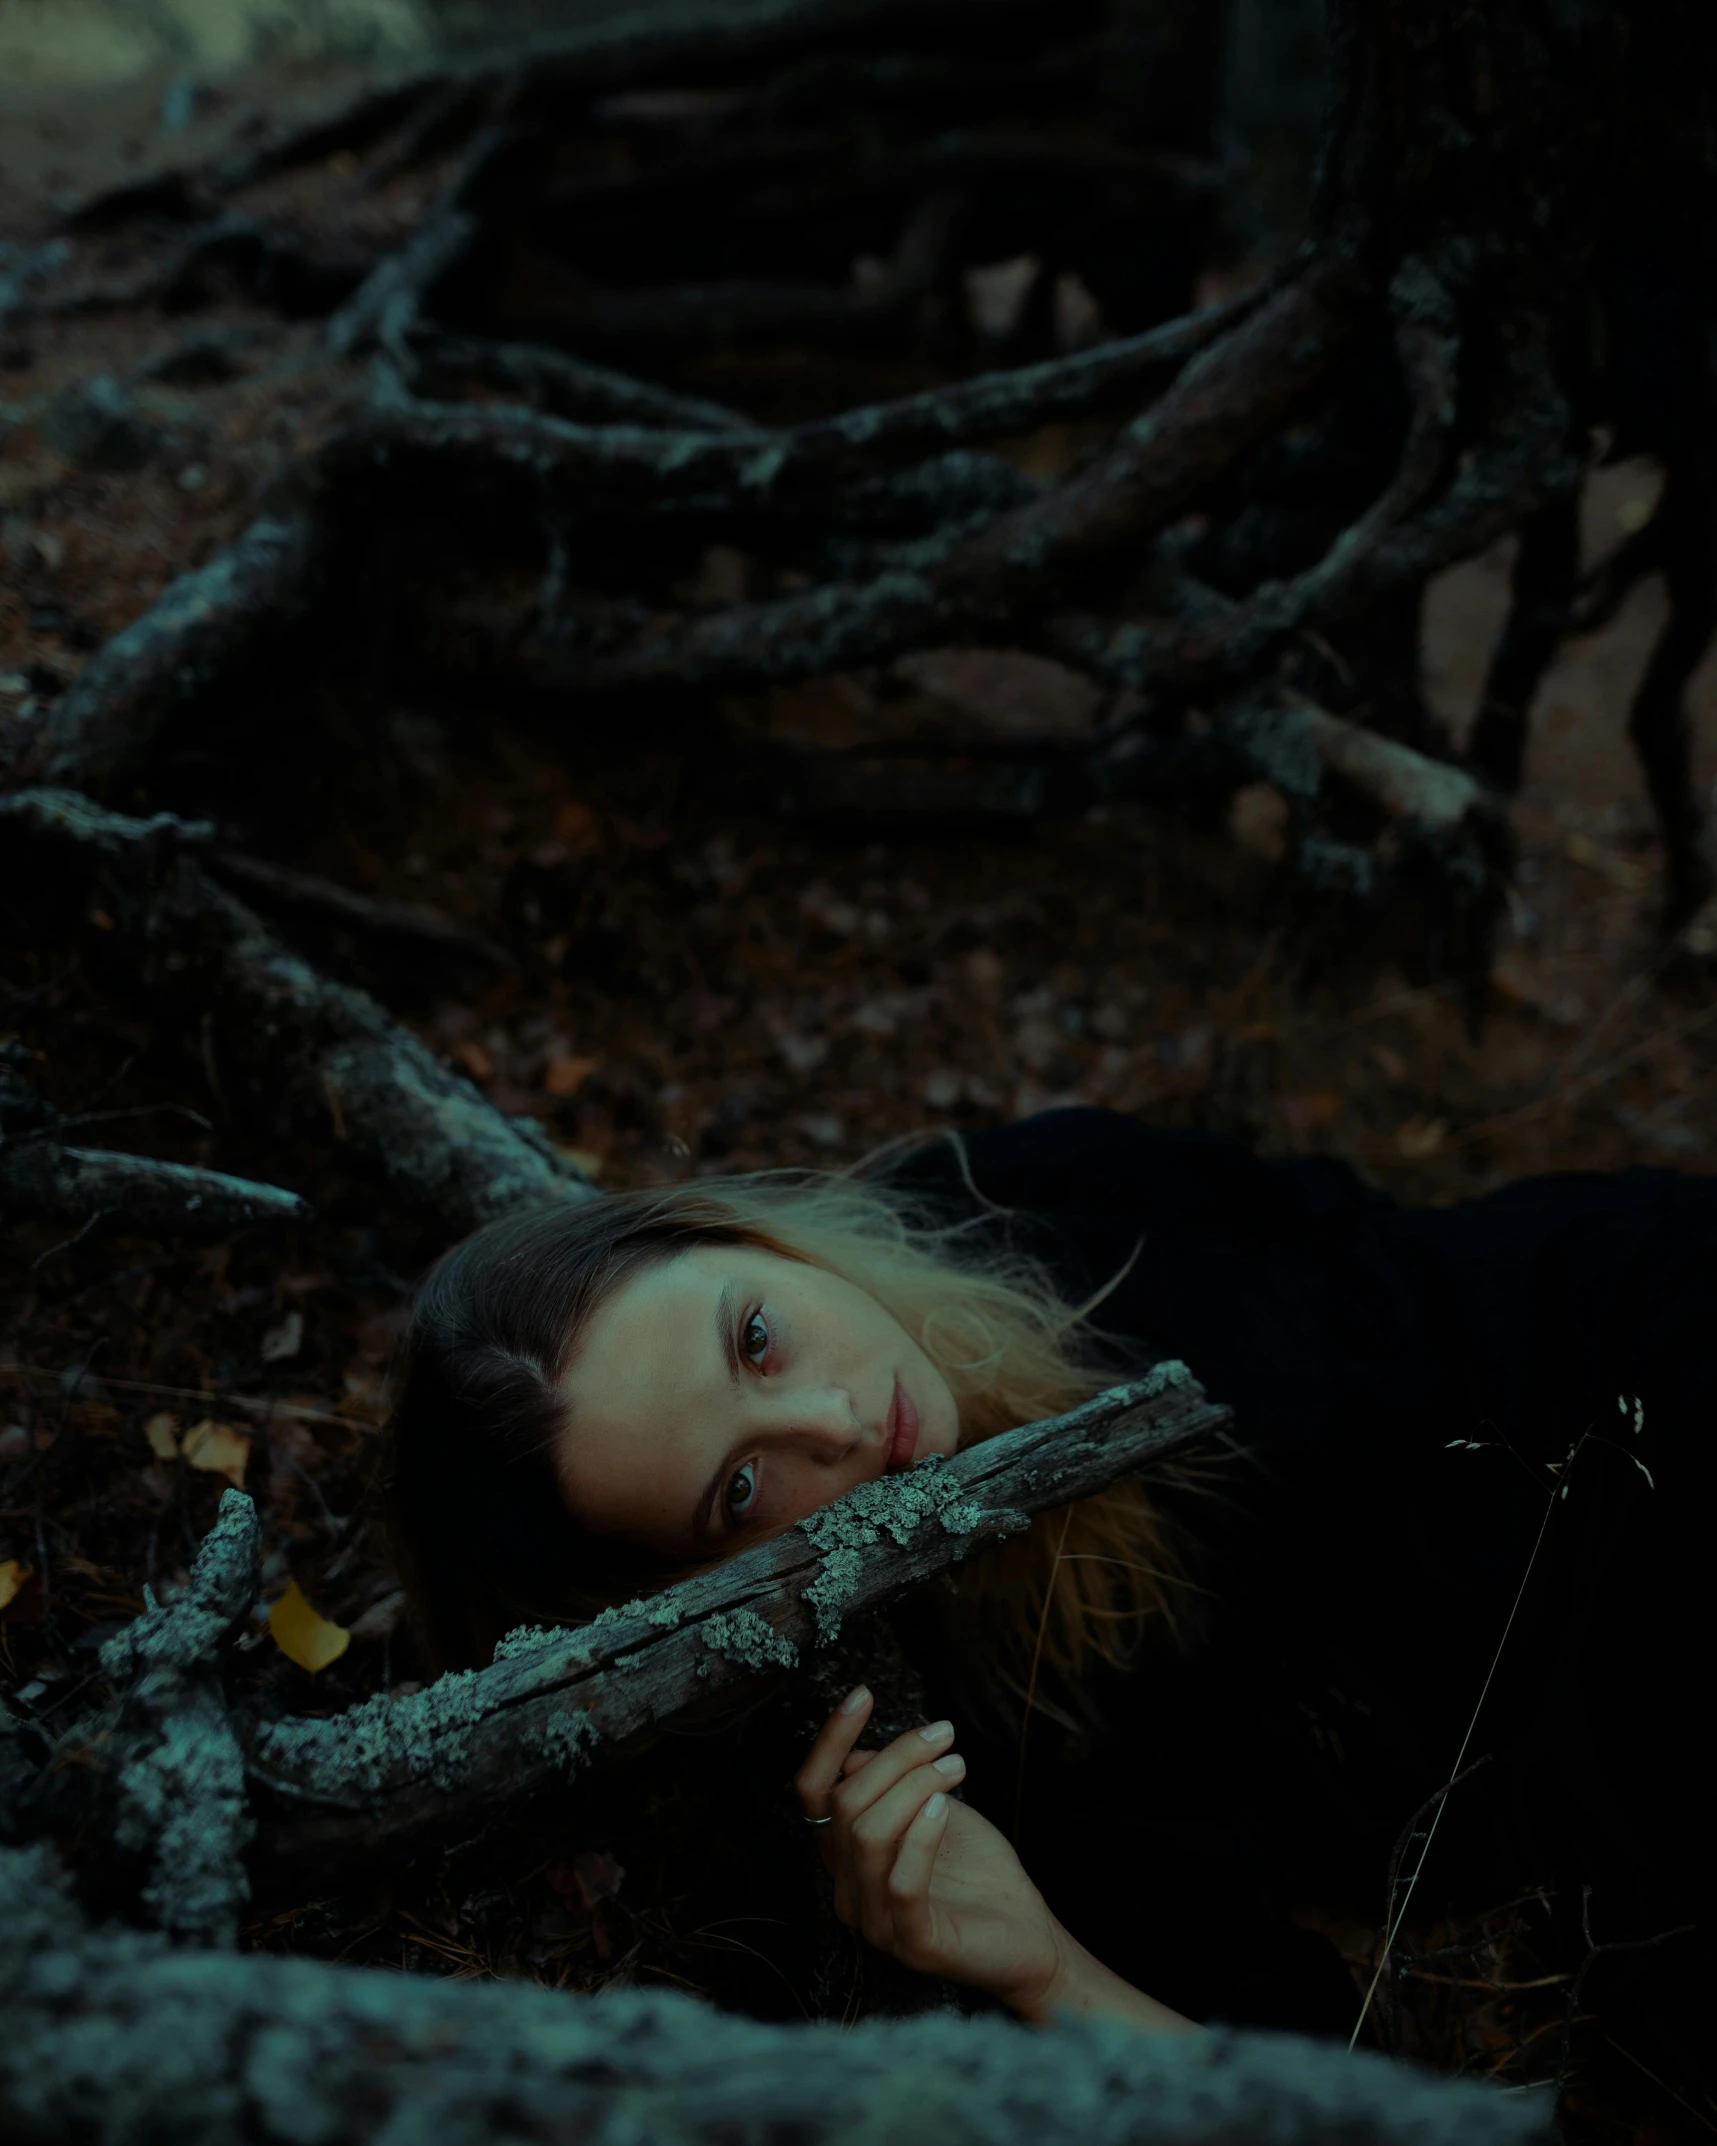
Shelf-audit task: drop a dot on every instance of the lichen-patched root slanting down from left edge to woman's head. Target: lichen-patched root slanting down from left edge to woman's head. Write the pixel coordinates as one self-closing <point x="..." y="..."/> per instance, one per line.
<point x="323" y="1050"/>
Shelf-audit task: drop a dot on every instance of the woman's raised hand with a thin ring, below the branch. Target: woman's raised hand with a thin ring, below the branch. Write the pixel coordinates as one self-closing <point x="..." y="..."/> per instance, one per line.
<point x="922" y="1877"/>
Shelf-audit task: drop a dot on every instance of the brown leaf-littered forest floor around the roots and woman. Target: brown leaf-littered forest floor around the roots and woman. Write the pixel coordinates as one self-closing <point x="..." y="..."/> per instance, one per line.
<point x="701" y="986"/>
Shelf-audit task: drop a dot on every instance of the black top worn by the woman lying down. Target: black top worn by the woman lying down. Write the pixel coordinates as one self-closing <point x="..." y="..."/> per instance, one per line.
<point x="1360" y="1566"/>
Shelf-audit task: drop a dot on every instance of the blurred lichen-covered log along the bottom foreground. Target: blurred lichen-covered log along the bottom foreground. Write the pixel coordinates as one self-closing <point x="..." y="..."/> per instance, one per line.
<point x="113" y="2035"/>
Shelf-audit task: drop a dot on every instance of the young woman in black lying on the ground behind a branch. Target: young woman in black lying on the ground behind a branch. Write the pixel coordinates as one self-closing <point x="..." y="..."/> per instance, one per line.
<point x="1469" y="1512"/>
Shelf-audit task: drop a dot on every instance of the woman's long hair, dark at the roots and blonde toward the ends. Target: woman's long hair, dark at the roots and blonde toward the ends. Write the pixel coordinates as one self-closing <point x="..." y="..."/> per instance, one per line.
<point x="478" y="1514"/>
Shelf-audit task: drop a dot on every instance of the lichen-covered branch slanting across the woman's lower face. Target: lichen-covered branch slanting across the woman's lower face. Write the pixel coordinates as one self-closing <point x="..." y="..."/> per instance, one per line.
<point x="398" y="1774"/>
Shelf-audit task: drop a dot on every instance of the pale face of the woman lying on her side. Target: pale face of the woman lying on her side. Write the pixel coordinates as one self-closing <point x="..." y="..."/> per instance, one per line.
<point x="724" y="1394"/>
